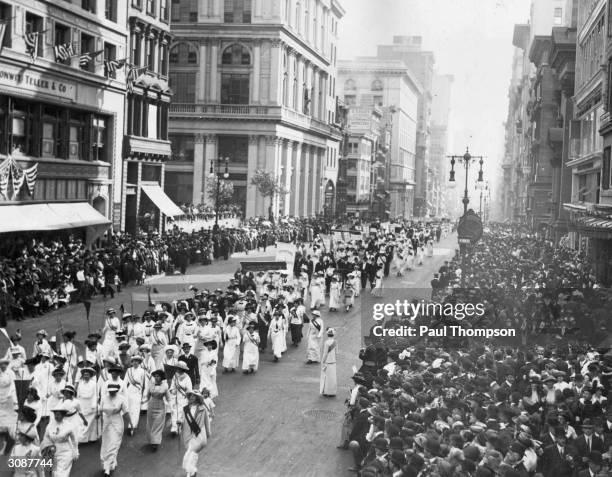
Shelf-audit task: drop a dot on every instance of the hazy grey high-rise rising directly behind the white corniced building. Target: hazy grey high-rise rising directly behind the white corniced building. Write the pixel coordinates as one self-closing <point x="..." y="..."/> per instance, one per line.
<point x="409" y="50"/>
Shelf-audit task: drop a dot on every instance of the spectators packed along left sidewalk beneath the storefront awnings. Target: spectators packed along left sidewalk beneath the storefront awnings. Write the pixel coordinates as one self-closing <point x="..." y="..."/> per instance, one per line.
<point x="43" y="274"/>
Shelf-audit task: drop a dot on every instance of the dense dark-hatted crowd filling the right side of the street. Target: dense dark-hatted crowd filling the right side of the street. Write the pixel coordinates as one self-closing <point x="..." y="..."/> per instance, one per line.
<point x="479" y="409"/>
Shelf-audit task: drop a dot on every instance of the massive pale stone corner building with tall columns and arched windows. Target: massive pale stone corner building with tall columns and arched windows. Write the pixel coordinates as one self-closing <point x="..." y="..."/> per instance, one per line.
<point x="255" y="82"/>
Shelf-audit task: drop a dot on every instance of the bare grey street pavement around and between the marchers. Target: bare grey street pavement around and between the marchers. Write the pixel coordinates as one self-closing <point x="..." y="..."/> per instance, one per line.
<point x="273" y="423"/>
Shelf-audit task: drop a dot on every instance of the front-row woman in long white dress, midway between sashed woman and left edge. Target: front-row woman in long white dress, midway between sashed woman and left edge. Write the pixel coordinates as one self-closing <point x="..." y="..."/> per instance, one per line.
<point x="113" y="407"/>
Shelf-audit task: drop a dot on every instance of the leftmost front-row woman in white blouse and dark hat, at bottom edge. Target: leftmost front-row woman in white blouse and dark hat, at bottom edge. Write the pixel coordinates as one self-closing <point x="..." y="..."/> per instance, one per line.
<point x="60" y="442"/>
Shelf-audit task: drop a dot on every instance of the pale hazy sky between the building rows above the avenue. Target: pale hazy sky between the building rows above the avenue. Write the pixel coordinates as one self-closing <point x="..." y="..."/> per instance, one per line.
<point x="471" y="39"/>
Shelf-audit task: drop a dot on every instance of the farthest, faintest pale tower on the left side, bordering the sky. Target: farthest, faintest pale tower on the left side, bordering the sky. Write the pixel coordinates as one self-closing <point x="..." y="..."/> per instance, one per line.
<point x="440" y="116"/>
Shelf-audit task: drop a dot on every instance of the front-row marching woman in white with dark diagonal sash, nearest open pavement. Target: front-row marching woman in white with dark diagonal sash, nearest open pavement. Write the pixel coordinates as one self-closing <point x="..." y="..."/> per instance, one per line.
<point x="194" y="432"/>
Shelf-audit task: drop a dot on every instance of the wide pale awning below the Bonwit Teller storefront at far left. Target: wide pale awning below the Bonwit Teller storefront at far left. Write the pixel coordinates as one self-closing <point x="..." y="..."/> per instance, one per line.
<point x="50" y="216"/>
